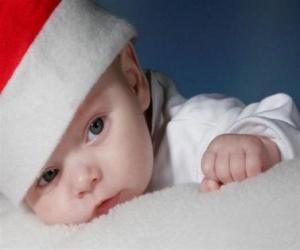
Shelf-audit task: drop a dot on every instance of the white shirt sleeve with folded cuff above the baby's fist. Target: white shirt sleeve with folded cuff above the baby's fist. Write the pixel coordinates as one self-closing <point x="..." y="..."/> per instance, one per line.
<point x="275" y="117"/>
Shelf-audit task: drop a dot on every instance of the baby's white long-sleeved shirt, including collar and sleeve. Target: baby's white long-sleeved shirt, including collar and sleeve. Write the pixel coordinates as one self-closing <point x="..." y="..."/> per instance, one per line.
<point x="182" y="129"/>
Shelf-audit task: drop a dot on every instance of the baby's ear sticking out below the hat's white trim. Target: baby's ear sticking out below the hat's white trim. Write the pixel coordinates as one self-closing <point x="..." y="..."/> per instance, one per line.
<point x="134" y="75"/>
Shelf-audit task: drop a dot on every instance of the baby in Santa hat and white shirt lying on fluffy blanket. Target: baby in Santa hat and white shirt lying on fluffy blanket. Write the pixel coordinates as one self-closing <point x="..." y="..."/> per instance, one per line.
<point x="84" y="128"/>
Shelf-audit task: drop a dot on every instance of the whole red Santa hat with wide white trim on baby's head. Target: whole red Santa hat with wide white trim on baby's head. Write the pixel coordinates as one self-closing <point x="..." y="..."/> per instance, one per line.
<point x="51" y="54"/>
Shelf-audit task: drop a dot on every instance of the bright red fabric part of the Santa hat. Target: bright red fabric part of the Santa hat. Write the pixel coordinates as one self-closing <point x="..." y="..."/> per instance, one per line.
<point x="20" y="22"/>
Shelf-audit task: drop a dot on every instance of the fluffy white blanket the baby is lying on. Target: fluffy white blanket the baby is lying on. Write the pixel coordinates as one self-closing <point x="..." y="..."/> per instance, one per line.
<point x="259" y="213"/>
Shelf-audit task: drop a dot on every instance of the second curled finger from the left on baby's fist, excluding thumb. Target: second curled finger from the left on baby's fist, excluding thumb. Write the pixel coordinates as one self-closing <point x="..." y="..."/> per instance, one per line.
<point x="222" y="168"/>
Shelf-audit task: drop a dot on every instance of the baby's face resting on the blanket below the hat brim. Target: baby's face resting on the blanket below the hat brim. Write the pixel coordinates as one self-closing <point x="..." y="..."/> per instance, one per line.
<point x="104" y="158"/>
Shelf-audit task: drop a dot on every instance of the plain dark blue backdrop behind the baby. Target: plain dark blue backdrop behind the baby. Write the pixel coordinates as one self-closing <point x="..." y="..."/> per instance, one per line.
<point x="248" y="49"/>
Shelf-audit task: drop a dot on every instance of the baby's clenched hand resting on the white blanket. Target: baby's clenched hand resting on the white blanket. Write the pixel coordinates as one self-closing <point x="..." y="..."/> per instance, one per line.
<point x="235" y="157"/>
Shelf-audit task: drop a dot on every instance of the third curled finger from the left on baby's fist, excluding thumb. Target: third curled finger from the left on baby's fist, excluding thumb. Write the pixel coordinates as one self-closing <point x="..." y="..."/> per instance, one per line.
<point x="237" y="166"/>
